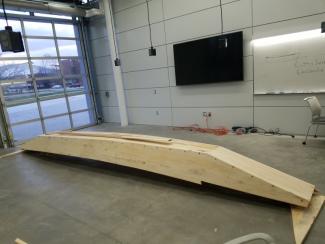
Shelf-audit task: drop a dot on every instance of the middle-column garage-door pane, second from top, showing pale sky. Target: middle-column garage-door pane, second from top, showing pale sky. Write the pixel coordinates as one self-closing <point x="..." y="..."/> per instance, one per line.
<point x="41" y="47"/>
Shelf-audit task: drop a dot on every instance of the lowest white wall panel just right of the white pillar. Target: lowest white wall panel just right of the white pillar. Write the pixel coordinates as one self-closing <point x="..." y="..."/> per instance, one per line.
<point x="150" y="116"/>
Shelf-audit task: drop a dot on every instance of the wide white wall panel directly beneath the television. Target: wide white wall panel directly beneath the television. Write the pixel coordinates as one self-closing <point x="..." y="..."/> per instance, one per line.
<point x="213" y="95"/>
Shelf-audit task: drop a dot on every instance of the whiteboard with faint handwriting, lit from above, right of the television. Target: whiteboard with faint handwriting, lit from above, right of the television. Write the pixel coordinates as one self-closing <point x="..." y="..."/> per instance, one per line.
<point x="290" y="67"/>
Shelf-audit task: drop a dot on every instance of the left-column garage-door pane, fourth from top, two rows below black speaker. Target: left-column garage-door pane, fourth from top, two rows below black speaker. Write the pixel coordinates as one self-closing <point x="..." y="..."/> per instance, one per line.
<point x="17" y="91"/>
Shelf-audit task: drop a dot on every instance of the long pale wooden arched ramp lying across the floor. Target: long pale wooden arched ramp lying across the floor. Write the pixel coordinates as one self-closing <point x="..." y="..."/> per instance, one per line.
<point x="190" y="161"/>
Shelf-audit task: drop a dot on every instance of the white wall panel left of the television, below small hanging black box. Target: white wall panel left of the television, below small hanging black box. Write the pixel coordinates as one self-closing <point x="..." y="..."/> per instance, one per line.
<point x="146" y="79"/>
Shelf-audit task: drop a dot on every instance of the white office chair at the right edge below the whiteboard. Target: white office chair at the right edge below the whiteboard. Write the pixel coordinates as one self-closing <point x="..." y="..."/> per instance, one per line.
<point x="316" y="119"/>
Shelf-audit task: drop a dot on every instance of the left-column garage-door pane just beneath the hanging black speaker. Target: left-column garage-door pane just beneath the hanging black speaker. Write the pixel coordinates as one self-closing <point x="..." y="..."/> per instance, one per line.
<point x="14" y="69"/>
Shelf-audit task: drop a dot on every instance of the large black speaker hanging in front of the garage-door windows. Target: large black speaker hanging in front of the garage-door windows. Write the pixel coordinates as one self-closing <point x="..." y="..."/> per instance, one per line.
<point x="11" y="41"/>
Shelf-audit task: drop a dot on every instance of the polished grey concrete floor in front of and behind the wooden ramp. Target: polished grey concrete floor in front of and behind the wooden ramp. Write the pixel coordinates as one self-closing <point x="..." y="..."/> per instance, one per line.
<point x="47" y="199"/>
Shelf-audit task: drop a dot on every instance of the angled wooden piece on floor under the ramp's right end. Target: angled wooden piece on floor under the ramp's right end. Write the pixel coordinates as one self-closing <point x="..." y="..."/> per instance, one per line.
<point x="303" y="218"/>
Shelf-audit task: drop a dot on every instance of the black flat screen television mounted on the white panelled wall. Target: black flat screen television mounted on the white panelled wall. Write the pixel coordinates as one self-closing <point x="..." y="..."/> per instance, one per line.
<point x="209" y="60"/>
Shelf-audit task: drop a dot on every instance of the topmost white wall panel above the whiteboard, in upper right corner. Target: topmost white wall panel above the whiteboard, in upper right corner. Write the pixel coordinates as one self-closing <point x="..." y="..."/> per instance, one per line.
<point x="266" y="11"/>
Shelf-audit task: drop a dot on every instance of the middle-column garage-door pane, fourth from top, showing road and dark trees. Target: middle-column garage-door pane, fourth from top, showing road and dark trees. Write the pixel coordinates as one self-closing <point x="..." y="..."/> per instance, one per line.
<point x="50" y="87"/>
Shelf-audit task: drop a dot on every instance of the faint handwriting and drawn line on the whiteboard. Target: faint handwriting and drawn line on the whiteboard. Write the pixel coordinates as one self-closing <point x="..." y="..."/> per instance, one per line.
<point x="303" y="64"/>
